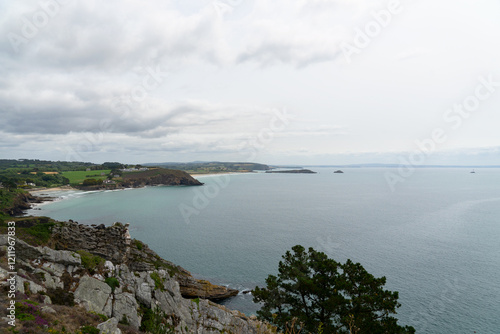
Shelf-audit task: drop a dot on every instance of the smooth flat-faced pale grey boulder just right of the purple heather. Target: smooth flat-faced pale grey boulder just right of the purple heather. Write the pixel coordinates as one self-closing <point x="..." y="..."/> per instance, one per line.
<point x="94" y="295"/>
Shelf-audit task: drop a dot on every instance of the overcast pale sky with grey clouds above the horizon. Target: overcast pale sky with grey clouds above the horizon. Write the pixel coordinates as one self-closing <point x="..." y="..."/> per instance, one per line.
<point x="278" y="82"/>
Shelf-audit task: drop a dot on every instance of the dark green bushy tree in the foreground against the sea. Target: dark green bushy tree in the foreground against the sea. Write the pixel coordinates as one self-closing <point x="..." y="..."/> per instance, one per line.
<point x="312" y="291"/>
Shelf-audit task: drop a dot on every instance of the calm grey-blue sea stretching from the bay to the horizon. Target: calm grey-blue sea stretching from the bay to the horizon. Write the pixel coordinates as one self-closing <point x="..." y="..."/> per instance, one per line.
<point x="435" y="238"/>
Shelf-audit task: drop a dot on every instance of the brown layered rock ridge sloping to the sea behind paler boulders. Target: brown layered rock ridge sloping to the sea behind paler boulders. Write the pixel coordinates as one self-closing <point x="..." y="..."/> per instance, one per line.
<point x="114" y="244"/>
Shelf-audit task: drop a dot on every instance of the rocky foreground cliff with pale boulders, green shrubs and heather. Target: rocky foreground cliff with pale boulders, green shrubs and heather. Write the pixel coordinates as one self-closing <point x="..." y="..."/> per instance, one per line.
<point x="113" y="283"/>
